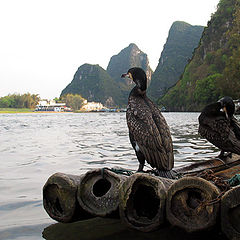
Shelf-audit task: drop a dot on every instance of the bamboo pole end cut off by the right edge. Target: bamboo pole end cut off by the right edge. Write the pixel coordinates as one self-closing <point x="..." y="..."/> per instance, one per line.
<point x="230" y="213"/>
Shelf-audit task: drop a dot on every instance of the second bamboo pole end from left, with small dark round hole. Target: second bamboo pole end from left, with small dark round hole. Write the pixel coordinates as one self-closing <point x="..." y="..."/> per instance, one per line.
<point x="98" y="192"/>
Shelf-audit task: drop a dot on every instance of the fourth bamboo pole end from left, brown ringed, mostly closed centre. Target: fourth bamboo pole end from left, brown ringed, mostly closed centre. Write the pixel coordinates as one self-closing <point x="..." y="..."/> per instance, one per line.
<point x="189" y="204"/>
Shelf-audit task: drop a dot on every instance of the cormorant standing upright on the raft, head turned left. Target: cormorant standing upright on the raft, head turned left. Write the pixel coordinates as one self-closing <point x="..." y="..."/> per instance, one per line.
<point x="148" y="131"/>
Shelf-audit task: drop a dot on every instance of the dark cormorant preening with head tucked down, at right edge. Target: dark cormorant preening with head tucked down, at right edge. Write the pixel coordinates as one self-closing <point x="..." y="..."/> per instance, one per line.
<point x="218" y="125"/>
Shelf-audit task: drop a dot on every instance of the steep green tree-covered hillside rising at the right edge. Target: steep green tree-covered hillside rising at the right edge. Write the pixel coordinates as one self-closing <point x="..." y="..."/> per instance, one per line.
<point x="214" y="70"/>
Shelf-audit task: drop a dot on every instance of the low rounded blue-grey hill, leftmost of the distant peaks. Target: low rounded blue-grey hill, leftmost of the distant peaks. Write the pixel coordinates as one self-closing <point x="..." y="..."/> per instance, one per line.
<point x="94" y="83"/>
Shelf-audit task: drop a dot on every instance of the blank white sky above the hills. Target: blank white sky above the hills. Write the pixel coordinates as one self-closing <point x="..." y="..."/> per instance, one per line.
<point x="43" y="42"/>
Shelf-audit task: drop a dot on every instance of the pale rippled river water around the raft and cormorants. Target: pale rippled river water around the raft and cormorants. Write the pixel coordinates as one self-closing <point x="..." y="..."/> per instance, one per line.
<point x="36" y="145"/>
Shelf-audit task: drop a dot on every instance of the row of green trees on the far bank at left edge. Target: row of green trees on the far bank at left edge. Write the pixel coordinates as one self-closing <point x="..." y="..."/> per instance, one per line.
<point x="26" y="100"/>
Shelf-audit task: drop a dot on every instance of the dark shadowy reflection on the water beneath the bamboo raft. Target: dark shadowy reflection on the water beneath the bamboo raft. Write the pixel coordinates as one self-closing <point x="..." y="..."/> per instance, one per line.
<point x="109" y="229"/>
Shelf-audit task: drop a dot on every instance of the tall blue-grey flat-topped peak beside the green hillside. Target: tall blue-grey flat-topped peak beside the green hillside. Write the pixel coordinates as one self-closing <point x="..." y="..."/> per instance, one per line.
<point x="182" y="39"/>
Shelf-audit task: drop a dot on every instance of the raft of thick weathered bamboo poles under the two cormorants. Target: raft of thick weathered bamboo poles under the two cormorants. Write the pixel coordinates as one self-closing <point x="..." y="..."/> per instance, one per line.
<point x="201" y="198"/>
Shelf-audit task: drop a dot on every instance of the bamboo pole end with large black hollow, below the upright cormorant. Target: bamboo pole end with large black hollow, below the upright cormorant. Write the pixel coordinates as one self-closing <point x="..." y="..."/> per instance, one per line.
<point x="142" y="201"/>
